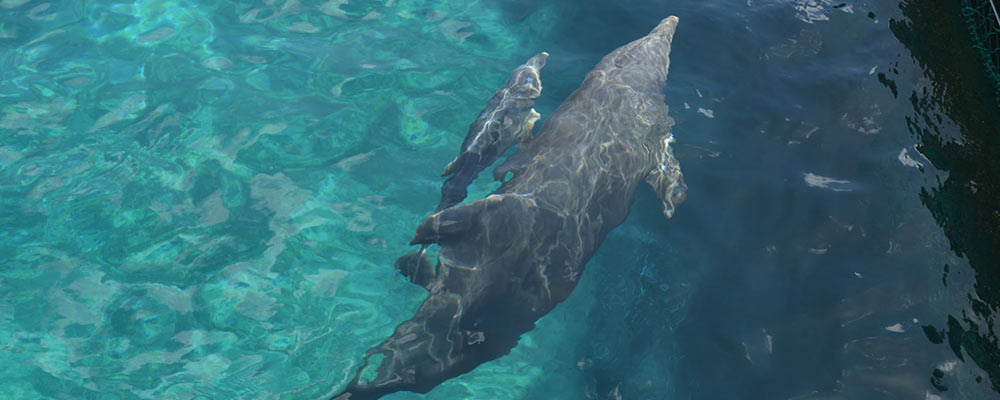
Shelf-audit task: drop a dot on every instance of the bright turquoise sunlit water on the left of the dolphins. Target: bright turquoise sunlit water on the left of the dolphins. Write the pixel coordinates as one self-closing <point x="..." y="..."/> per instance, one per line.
<point x="190" y="206"/>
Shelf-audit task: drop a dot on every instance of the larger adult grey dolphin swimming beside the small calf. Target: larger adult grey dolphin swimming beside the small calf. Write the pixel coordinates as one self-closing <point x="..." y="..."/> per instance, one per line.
<point x="506" y="260"/>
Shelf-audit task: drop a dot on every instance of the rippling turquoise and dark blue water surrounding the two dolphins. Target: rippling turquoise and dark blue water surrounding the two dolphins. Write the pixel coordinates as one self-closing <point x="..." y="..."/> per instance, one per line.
<point x="204" y="199"/>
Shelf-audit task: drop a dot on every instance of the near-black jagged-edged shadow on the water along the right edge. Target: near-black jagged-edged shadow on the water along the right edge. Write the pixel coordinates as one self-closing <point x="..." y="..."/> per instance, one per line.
<point x="957" y="123"/>
